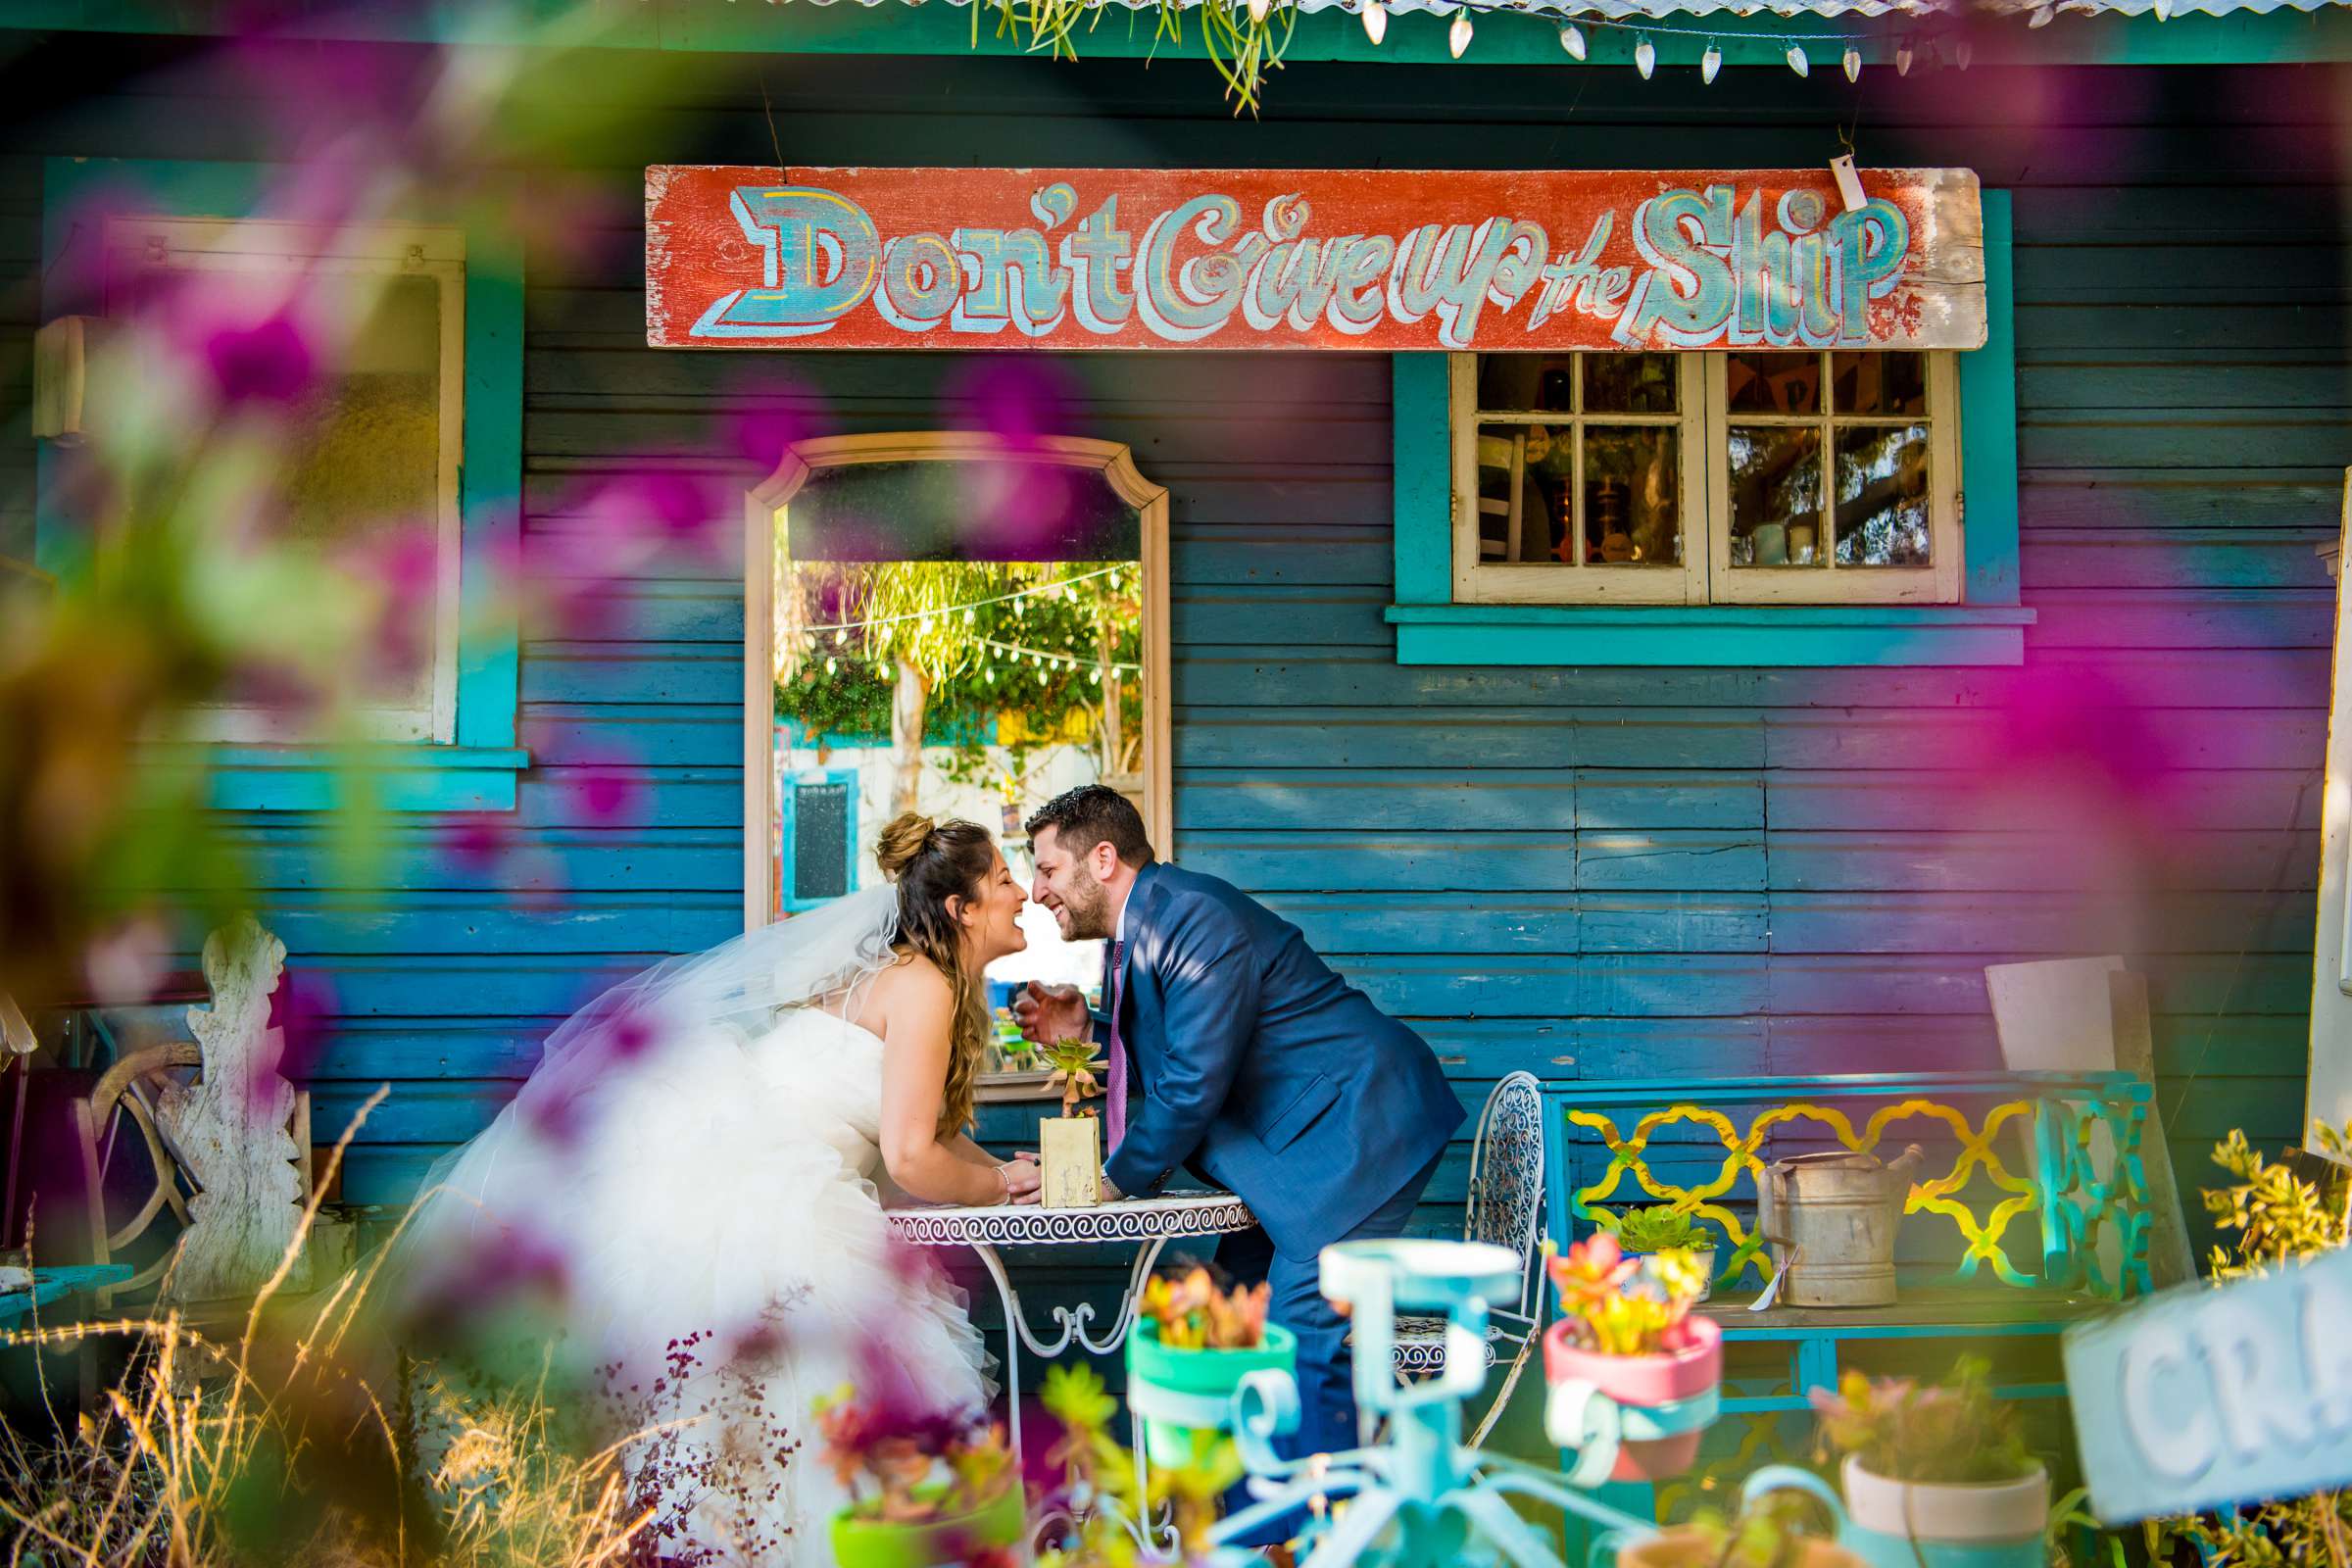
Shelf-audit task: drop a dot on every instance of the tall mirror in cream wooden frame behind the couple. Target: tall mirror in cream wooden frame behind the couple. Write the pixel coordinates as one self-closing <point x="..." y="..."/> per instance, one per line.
<point x="947" y="624"/>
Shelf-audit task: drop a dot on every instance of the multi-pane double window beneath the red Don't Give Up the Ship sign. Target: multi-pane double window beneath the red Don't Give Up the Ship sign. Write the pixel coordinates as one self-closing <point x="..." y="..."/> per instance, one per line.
<point x="1706" y="478"/>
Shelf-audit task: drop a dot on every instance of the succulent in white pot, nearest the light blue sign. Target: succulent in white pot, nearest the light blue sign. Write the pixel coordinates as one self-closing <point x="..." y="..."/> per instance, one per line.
<point x="1935" y="1473"/>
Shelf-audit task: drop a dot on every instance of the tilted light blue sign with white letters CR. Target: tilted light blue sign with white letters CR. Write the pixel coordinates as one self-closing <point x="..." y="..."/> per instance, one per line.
<point x="2210" y="1398"/>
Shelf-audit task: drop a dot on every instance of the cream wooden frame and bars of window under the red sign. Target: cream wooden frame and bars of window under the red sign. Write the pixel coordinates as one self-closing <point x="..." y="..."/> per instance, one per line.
<point x="1709" y="575"/>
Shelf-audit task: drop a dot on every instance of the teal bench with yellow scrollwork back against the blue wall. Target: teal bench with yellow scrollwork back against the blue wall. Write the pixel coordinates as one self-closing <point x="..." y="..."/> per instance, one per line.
<point x="2029" y="1214"/>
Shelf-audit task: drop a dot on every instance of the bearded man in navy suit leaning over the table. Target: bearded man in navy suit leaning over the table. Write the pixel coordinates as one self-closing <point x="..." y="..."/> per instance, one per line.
<point x="1238" y="1054"/>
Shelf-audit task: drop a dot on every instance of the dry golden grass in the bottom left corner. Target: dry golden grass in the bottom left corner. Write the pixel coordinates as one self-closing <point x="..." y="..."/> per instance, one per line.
<point x="283" y="1449"/>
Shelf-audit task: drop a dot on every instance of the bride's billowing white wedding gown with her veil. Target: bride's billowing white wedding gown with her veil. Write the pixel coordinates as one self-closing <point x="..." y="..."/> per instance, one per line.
<point x="709" y="1193"/>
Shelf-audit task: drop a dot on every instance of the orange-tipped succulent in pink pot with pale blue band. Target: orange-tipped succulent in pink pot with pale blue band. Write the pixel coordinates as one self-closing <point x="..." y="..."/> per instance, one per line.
<point x="1626" y="1334"/>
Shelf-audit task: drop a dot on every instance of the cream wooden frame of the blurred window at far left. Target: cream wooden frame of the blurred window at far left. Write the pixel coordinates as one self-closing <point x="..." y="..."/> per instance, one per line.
<point x="392" y="250"/>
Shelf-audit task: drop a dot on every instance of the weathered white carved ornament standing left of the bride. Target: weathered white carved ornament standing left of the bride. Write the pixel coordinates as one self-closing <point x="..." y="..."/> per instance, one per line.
<point x="232" y="1125"/>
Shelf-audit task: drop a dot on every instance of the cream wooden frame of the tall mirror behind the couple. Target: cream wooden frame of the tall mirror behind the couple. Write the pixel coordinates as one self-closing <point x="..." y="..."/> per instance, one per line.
<point x="768" y="507"/>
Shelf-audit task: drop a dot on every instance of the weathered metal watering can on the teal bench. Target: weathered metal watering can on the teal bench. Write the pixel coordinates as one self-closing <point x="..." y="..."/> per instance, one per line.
<point x="1831" y="1221"/>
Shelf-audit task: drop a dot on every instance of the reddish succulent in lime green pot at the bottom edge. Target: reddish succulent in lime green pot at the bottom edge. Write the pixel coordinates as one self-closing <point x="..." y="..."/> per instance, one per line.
<point x="923" y="1492"/>
